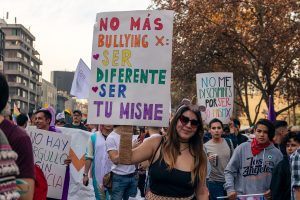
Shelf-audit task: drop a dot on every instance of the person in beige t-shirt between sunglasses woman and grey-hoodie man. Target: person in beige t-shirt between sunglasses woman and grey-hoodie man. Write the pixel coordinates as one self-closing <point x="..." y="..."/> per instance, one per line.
<point x="219" y="151"/>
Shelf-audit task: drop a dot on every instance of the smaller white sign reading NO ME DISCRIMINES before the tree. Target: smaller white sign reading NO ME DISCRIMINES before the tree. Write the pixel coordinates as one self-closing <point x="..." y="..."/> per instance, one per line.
<point x="215" y="93"/>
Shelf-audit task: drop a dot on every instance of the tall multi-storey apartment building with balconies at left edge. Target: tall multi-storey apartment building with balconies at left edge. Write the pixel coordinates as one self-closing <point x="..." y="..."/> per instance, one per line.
<point x="21" y="66"/>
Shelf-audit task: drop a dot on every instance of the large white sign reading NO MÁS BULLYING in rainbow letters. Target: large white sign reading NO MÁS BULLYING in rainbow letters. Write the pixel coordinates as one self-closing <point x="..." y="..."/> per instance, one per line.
<point x="131" y="68"/>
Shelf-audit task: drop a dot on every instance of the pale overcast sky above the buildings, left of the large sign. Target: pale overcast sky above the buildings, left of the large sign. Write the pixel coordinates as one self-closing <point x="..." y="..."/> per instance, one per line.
<point x="63" y="28"/>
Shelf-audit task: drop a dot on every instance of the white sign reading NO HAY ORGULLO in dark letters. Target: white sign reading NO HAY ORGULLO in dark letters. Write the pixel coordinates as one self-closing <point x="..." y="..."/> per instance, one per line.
<point x="50" y="150"/>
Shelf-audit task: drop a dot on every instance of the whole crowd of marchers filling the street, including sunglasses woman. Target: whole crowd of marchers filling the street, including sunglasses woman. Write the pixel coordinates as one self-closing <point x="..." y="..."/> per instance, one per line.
<point x="185" y="161"/>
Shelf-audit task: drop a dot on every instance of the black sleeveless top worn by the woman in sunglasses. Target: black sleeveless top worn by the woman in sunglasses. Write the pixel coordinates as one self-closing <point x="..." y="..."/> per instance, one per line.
<point x="169" y="183"/>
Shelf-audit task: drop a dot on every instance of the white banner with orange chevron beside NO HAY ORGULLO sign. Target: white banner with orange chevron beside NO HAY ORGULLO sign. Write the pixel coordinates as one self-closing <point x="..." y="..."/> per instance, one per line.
<point x="79" y="140"/>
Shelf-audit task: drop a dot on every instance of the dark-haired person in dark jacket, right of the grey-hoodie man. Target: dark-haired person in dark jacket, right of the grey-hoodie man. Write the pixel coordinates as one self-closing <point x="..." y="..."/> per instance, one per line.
<point x="281" y="177"/>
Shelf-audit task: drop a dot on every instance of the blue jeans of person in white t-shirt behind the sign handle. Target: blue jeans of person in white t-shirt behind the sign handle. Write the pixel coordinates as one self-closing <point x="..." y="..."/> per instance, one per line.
<point x="124" y="186"/>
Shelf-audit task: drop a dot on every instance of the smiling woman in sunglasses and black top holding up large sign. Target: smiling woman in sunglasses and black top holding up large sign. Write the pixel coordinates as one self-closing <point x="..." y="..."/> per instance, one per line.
<point x="178" y="164"/>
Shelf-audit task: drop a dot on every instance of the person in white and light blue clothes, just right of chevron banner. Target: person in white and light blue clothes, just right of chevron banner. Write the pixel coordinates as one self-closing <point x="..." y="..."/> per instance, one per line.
<point x="97" y="157"/>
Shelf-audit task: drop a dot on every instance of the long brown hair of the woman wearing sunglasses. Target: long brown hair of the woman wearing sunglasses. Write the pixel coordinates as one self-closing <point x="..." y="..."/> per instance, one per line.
<point x="171" y="148"/>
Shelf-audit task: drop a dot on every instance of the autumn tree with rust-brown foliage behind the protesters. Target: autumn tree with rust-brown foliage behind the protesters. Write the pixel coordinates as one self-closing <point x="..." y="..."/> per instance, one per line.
<point x="259" y="41"/>
